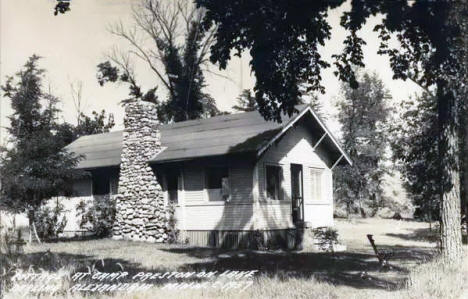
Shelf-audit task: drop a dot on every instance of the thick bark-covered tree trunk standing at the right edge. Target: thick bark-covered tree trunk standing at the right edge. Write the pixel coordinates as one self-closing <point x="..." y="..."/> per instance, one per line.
<point x="448" y="145"/>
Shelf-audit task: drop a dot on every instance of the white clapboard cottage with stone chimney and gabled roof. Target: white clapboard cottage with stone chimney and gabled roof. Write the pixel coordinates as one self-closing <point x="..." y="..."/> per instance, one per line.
<point x="228" y="176"/>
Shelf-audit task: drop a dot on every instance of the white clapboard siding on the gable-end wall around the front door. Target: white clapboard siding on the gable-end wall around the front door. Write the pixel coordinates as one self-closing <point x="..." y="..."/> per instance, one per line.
<point x="296" y="147"/>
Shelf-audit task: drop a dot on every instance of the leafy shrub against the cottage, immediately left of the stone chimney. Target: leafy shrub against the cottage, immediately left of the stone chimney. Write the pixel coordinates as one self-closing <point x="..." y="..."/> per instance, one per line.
<point x="97" y="215"/>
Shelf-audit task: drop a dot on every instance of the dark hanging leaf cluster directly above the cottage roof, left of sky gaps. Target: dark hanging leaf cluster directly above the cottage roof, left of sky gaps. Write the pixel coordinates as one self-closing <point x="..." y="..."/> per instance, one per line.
<point x="283" y="38"/>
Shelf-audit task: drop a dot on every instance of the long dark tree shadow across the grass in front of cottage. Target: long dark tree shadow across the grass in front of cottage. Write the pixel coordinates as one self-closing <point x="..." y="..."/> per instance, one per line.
<point x="357" y="270"/>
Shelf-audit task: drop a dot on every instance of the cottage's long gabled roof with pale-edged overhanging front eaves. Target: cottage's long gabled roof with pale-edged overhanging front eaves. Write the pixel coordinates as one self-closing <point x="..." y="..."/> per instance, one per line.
<point x="221" y="135"/>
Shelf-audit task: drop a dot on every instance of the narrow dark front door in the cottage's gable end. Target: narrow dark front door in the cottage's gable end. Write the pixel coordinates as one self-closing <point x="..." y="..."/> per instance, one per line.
<point x="297" y="194"/>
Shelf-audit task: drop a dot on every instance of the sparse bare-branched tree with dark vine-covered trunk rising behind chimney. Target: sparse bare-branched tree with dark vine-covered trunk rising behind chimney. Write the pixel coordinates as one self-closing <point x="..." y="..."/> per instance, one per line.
<point x="177" y="66"/>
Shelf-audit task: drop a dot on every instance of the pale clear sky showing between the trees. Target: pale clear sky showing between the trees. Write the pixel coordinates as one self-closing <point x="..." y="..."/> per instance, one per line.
<point x="73" y="44"/>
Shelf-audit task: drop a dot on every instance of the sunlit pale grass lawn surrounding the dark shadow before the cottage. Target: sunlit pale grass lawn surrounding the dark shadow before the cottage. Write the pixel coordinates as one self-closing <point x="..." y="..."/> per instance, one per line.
<point x="352" y="274"/>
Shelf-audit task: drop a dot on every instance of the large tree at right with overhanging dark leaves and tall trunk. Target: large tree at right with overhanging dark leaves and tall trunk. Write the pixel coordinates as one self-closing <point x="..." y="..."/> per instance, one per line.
<point x="283" y="38"/>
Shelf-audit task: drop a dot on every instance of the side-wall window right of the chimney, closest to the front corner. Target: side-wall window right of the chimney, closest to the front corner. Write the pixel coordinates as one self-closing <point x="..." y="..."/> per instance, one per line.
<point x="217" y="183"/>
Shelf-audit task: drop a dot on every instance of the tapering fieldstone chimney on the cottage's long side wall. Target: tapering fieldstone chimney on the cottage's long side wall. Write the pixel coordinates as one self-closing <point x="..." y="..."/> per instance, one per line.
<point x="140" y="207"/>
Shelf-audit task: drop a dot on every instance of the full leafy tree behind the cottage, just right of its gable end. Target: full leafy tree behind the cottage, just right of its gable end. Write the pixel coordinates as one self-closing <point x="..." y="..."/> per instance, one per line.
<point x="363" y="114"/>
